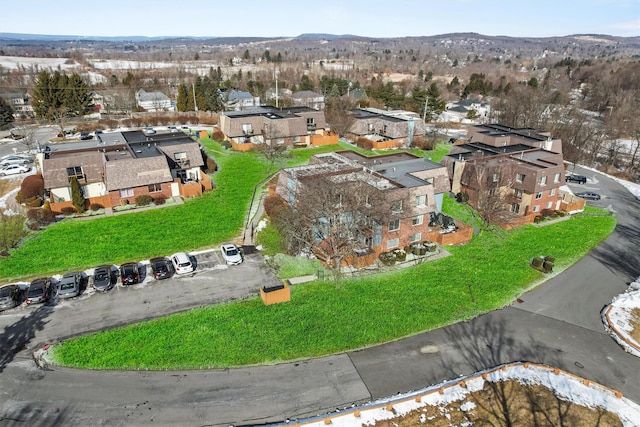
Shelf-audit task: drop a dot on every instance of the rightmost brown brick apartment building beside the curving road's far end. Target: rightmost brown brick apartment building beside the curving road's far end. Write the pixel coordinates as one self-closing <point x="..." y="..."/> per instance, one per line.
<point x="524" y="167"/>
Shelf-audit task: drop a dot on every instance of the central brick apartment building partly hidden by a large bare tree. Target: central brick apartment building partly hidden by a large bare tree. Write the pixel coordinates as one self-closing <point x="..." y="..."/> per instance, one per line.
<point x="412" y="187"/>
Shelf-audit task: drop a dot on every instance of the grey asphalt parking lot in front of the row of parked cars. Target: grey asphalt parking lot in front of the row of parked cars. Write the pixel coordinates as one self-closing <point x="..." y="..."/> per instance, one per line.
<point x="212" y="282"/>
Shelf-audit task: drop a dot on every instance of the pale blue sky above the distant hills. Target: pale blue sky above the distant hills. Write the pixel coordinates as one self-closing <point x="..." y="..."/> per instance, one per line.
<point x="270" y="18"/>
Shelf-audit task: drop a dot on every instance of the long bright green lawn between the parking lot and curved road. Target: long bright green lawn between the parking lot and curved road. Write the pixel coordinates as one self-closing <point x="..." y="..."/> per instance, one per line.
<point x="324" y="318"/>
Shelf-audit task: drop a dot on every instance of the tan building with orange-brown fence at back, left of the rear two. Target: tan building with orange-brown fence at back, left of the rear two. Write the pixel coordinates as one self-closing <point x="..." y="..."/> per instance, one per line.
<point x="300" y="126"/>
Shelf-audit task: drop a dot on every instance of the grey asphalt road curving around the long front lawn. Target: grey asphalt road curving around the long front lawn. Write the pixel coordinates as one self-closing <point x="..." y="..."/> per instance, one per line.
<point x="558" y="324"/>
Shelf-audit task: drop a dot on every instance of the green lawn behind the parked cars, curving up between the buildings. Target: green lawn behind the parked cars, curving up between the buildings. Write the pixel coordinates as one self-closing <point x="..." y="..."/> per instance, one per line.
<point x="199" y="223"/>
